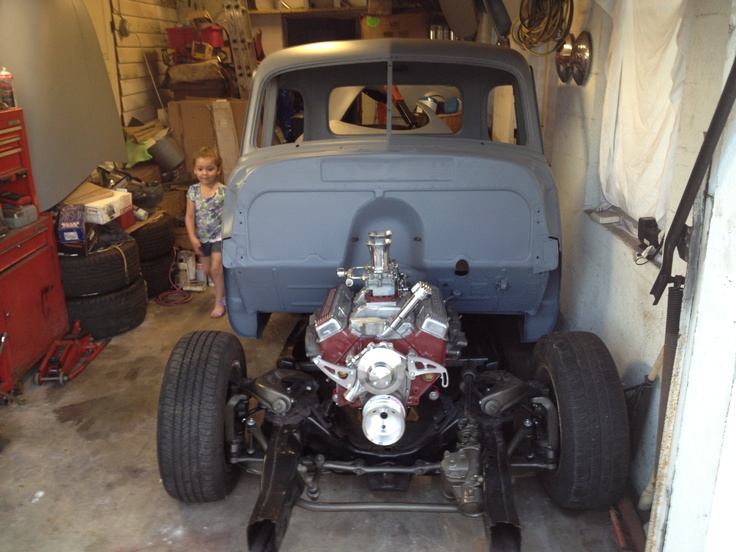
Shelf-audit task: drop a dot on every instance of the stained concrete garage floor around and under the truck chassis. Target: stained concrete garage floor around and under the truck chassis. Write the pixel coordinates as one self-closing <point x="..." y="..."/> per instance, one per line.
<point x="79" y="471"/>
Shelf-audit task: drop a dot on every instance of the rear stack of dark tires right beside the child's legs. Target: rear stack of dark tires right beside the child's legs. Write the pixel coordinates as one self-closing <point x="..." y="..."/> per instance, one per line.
<point x="155" y="242"/>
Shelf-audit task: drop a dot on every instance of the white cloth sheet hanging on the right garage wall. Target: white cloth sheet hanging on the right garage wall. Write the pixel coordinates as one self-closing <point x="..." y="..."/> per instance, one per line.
<point x="645" y="72"/>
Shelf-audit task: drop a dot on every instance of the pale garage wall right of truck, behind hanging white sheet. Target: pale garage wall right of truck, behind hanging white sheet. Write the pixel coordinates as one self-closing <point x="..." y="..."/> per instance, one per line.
<point x="604" y="290"/>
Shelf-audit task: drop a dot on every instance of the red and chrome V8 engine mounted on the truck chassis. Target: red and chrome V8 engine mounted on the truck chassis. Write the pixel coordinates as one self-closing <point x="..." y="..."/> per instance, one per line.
<point x="382" y="344"/>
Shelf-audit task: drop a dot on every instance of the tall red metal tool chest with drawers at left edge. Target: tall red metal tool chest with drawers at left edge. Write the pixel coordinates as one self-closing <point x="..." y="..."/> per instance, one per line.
<point x="32" y="304"/>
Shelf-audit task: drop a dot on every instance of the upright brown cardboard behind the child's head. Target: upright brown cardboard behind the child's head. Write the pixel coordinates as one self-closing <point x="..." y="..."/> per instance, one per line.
<point x="197" y="122"/>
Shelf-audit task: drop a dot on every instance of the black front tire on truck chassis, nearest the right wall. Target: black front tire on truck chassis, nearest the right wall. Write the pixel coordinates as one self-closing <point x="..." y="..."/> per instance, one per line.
<point x="594" y="435"/>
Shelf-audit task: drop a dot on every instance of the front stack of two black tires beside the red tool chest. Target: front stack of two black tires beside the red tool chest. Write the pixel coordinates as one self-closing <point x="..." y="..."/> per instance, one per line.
<point x="104" y="290"/>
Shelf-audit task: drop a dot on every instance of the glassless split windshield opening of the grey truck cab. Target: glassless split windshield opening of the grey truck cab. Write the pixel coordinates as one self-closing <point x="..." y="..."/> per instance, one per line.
<point x="403" y="98"/>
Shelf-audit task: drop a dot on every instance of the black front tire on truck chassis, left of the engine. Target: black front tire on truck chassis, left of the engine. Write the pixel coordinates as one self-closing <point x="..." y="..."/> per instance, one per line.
<point x="197" y="384"/>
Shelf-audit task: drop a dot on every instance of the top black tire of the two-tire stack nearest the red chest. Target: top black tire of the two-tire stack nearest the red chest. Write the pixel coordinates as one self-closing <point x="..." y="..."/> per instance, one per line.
<point x="104" y="271"/>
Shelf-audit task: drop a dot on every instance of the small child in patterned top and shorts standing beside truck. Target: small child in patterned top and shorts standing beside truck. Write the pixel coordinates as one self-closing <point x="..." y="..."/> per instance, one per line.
<point x="205" y="202"/>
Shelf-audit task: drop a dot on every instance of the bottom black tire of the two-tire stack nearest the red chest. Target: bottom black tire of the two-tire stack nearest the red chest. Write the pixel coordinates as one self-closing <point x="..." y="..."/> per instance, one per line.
<point x="110" y="314"/>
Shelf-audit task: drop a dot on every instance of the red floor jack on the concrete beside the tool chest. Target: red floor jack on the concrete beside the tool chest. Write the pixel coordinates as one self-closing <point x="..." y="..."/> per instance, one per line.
<point x="68" y="356"/>
